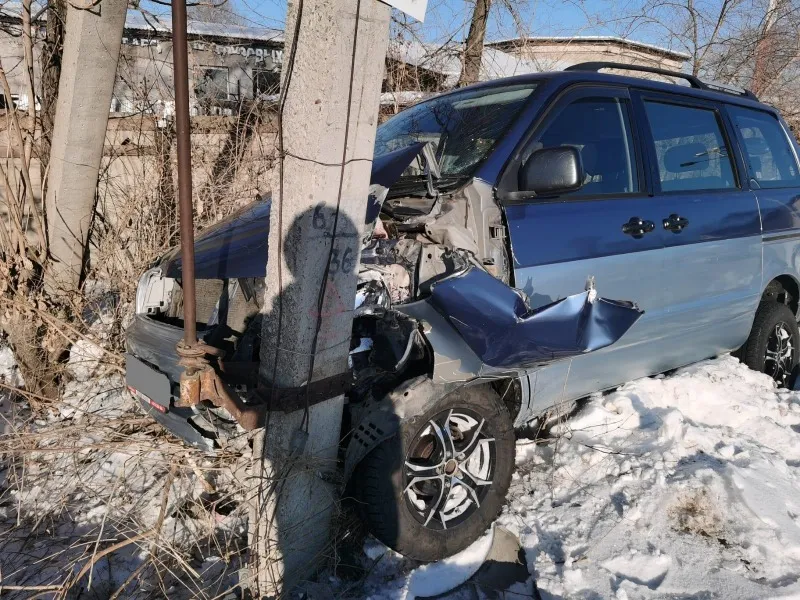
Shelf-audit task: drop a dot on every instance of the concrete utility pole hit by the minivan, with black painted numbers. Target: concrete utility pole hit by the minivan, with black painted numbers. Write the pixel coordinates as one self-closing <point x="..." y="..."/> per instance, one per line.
<point x="332" y="85"/>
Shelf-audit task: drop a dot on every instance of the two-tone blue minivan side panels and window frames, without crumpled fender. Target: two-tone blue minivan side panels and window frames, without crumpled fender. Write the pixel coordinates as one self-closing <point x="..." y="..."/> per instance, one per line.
<point x="699" y="288"/>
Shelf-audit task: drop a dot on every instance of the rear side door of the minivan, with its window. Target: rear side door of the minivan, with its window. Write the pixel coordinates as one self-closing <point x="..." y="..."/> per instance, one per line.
<point x="710" y="223"/>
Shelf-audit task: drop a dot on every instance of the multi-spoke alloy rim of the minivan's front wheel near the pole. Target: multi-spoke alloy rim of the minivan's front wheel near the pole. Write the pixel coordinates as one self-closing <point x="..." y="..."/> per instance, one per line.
<point x="449" y="469"/>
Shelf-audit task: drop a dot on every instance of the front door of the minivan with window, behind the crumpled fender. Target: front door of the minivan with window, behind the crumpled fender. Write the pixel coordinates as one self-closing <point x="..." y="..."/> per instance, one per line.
<point x="605" y="230"/>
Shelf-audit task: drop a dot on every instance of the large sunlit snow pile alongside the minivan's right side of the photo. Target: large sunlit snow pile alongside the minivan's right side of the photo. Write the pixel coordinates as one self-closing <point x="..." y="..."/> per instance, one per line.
<point x="679" y="485"/>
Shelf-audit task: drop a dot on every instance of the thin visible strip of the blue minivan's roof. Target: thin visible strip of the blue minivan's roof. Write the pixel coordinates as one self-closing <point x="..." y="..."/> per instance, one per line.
<point x="570" y="77"/>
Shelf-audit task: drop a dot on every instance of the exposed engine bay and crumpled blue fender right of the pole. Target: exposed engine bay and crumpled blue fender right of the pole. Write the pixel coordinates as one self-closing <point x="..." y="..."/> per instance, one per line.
<point x="433" y="292"/>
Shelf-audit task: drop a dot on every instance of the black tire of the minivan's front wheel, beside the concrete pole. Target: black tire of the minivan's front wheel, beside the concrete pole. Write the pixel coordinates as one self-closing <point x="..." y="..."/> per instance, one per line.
<point x="382" y="477"/>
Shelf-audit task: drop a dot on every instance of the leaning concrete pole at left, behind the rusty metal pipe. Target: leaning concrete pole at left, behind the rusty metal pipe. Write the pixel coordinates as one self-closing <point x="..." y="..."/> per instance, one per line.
<point x="88" y="72"/>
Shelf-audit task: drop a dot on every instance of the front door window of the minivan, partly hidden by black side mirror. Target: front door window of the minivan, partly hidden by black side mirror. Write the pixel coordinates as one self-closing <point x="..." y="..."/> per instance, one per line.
<point x="600" y="129"/>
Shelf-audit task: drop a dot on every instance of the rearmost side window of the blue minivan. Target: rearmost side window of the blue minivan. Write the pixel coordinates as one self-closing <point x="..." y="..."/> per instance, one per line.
<point x="770" y="159"/>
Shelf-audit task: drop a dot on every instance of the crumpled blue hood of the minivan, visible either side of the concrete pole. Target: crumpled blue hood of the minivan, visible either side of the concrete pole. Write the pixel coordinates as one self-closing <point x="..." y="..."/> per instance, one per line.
<point x="236" y="247"/>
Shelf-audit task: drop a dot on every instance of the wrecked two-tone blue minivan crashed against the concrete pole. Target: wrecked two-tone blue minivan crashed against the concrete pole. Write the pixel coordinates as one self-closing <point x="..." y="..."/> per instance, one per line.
<point x="497" y="213"/>
